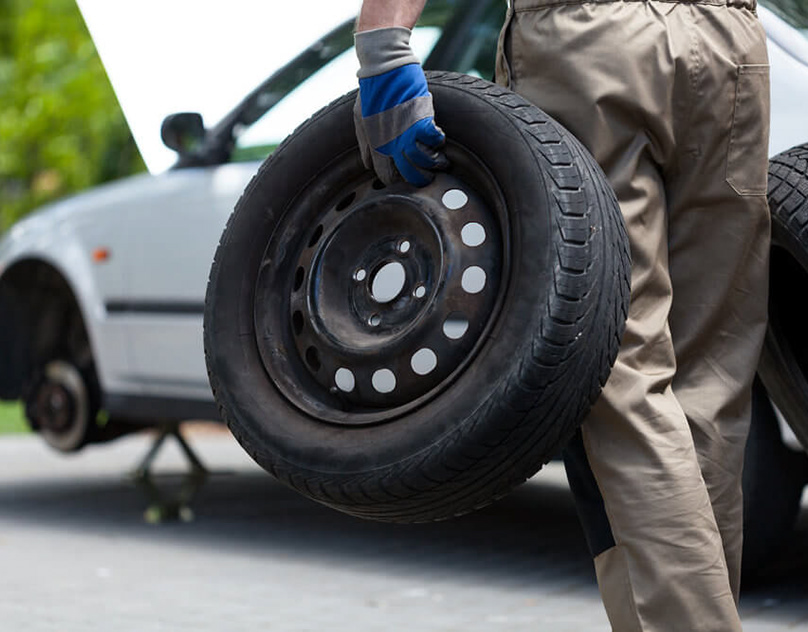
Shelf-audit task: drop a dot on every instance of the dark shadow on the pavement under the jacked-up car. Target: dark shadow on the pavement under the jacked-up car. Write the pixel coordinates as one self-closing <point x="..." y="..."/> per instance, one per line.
<point x="531" y="536"/>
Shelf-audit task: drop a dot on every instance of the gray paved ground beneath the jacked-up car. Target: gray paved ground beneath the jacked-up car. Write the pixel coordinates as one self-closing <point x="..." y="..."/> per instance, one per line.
<point x="78" y="553"/>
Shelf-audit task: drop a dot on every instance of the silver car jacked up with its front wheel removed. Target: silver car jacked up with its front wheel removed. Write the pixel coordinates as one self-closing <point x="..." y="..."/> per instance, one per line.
<point x="101" y="295"/>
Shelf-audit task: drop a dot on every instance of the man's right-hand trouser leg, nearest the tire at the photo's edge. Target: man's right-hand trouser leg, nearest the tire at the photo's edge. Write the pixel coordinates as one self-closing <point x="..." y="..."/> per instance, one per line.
<point x="719" y="249"/>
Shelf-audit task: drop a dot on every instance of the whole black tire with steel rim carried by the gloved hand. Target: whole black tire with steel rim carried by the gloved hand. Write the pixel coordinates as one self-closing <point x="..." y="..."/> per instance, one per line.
<point x="410" y="354"/>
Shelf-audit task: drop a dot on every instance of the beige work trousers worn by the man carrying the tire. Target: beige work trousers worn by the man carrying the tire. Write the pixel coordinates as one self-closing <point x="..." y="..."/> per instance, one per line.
<point x="672" y="99"/>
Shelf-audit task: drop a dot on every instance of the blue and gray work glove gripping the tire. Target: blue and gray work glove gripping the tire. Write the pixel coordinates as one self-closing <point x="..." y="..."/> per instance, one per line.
<point x="393" y="113"/>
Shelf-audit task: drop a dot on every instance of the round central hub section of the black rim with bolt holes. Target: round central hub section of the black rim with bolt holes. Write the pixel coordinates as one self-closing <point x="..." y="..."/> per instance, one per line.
<point x="369" y="279"/>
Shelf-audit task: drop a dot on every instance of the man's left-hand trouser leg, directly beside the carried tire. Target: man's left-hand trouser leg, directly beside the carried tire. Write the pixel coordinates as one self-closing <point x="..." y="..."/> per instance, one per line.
<point x="609" y="73"/>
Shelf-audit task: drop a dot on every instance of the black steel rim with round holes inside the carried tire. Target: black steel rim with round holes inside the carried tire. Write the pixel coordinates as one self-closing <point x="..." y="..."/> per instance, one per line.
<point x="371" y="300"/>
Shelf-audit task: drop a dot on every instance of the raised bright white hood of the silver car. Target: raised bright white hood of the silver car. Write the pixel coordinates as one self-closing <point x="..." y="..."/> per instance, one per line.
<point x="165" y="56"/>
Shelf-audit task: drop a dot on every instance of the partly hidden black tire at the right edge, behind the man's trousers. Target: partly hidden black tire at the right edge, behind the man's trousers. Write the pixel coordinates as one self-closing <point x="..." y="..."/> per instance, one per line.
<point x="784" y="359"/>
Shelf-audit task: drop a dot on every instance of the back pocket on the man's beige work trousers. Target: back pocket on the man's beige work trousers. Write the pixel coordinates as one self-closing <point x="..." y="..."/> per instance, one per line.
<point x="747" y="155"/>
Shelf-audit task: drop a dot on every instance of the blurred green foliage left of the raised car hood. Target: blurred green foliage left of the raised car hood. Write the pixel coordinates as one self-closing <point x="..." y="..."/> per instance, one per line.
<point x="61" y="127"/>
